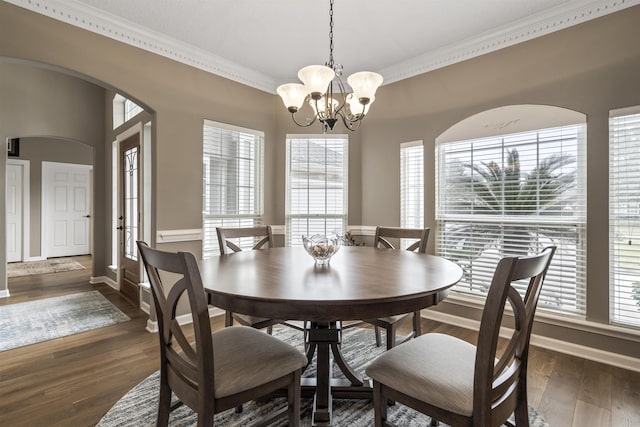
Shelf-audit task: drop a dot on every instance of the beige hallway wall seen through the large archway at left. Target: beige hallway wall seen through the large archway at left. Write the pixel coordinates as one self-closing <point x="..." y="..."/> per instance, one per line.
<point x="42" y="105"/>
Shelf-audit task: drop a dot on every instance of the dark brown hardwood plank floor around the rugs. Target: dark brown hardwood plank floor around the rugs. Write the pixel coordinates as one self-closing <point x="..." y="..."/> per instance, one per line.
<point x="73" y="381"/>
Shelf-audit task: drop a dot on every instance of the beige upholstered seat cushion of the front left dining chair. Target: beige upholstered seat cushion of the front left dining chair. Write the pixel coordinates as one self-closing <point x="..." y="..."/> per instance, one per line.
<point x="245" y="358"/>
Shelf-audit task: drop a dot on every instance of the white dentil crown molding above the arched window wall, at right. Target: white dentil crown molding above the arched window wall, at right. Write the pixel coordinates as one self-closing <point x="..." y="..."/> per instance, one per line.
<point x="537" y="25"/>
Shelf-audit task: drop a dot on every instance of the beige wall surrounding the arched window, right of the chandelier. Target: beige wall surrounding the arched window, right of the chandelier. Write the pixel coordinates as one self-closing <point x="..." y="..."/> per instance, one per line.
<point x="591" y="68"/>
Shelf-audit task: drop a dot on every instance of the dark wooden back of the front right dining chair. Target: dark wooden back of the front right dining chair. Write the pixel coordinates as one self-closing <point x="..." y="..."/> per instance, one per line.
<point x="499" y="385"/>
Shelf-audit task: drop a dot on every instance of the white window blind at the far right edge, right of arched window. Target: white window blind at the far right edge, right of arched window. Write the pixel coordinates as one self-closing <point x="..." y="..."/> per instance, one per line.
<point x="624" y="217"/>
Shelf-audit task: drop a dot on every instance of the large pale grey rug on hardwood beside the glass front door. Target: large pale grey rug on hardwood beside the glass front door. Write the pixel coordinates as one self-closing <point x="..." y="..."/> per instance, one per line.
<point x="45" y="319"/>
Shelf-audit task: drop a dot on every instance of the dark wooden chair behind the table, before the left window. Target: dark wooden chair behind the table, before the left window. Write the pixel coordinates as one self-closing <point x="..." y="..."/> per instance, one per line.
<point x="262" y="237"/>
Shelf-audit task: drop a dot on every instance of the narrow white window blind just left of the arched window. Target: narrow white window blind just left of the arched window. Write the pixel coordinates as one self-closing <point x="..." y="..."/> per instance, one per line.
<point x="412" y="184"/>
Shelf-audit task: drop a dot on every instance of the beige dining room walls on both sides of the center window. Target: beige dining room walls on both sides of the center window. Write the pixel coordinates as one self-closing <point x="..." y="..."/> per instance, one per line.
<point x="590" y="68"/>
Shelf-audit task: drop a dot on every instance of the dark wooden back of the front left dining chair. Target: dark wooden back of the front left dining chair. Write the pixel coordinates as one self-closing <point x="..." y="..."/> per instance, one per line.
<point x="187" y="368"/>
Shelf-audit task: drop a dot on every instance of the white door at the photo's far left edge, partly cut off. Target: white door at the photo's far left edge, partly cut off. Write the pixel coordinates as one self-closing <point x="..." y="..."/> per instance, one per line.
<point x="14" y="212"/>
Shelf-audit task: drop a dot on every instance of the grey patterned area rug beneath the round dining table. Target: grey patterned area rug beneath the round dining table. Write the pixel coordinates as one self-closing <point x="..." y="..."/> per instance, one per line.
<point x="139" y="406"/>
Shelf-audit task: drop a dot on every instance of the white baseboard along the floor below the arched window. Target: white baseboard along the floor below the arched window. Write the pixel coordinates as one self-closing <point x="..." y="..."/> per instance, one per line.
<point x="594" y="354"/>
